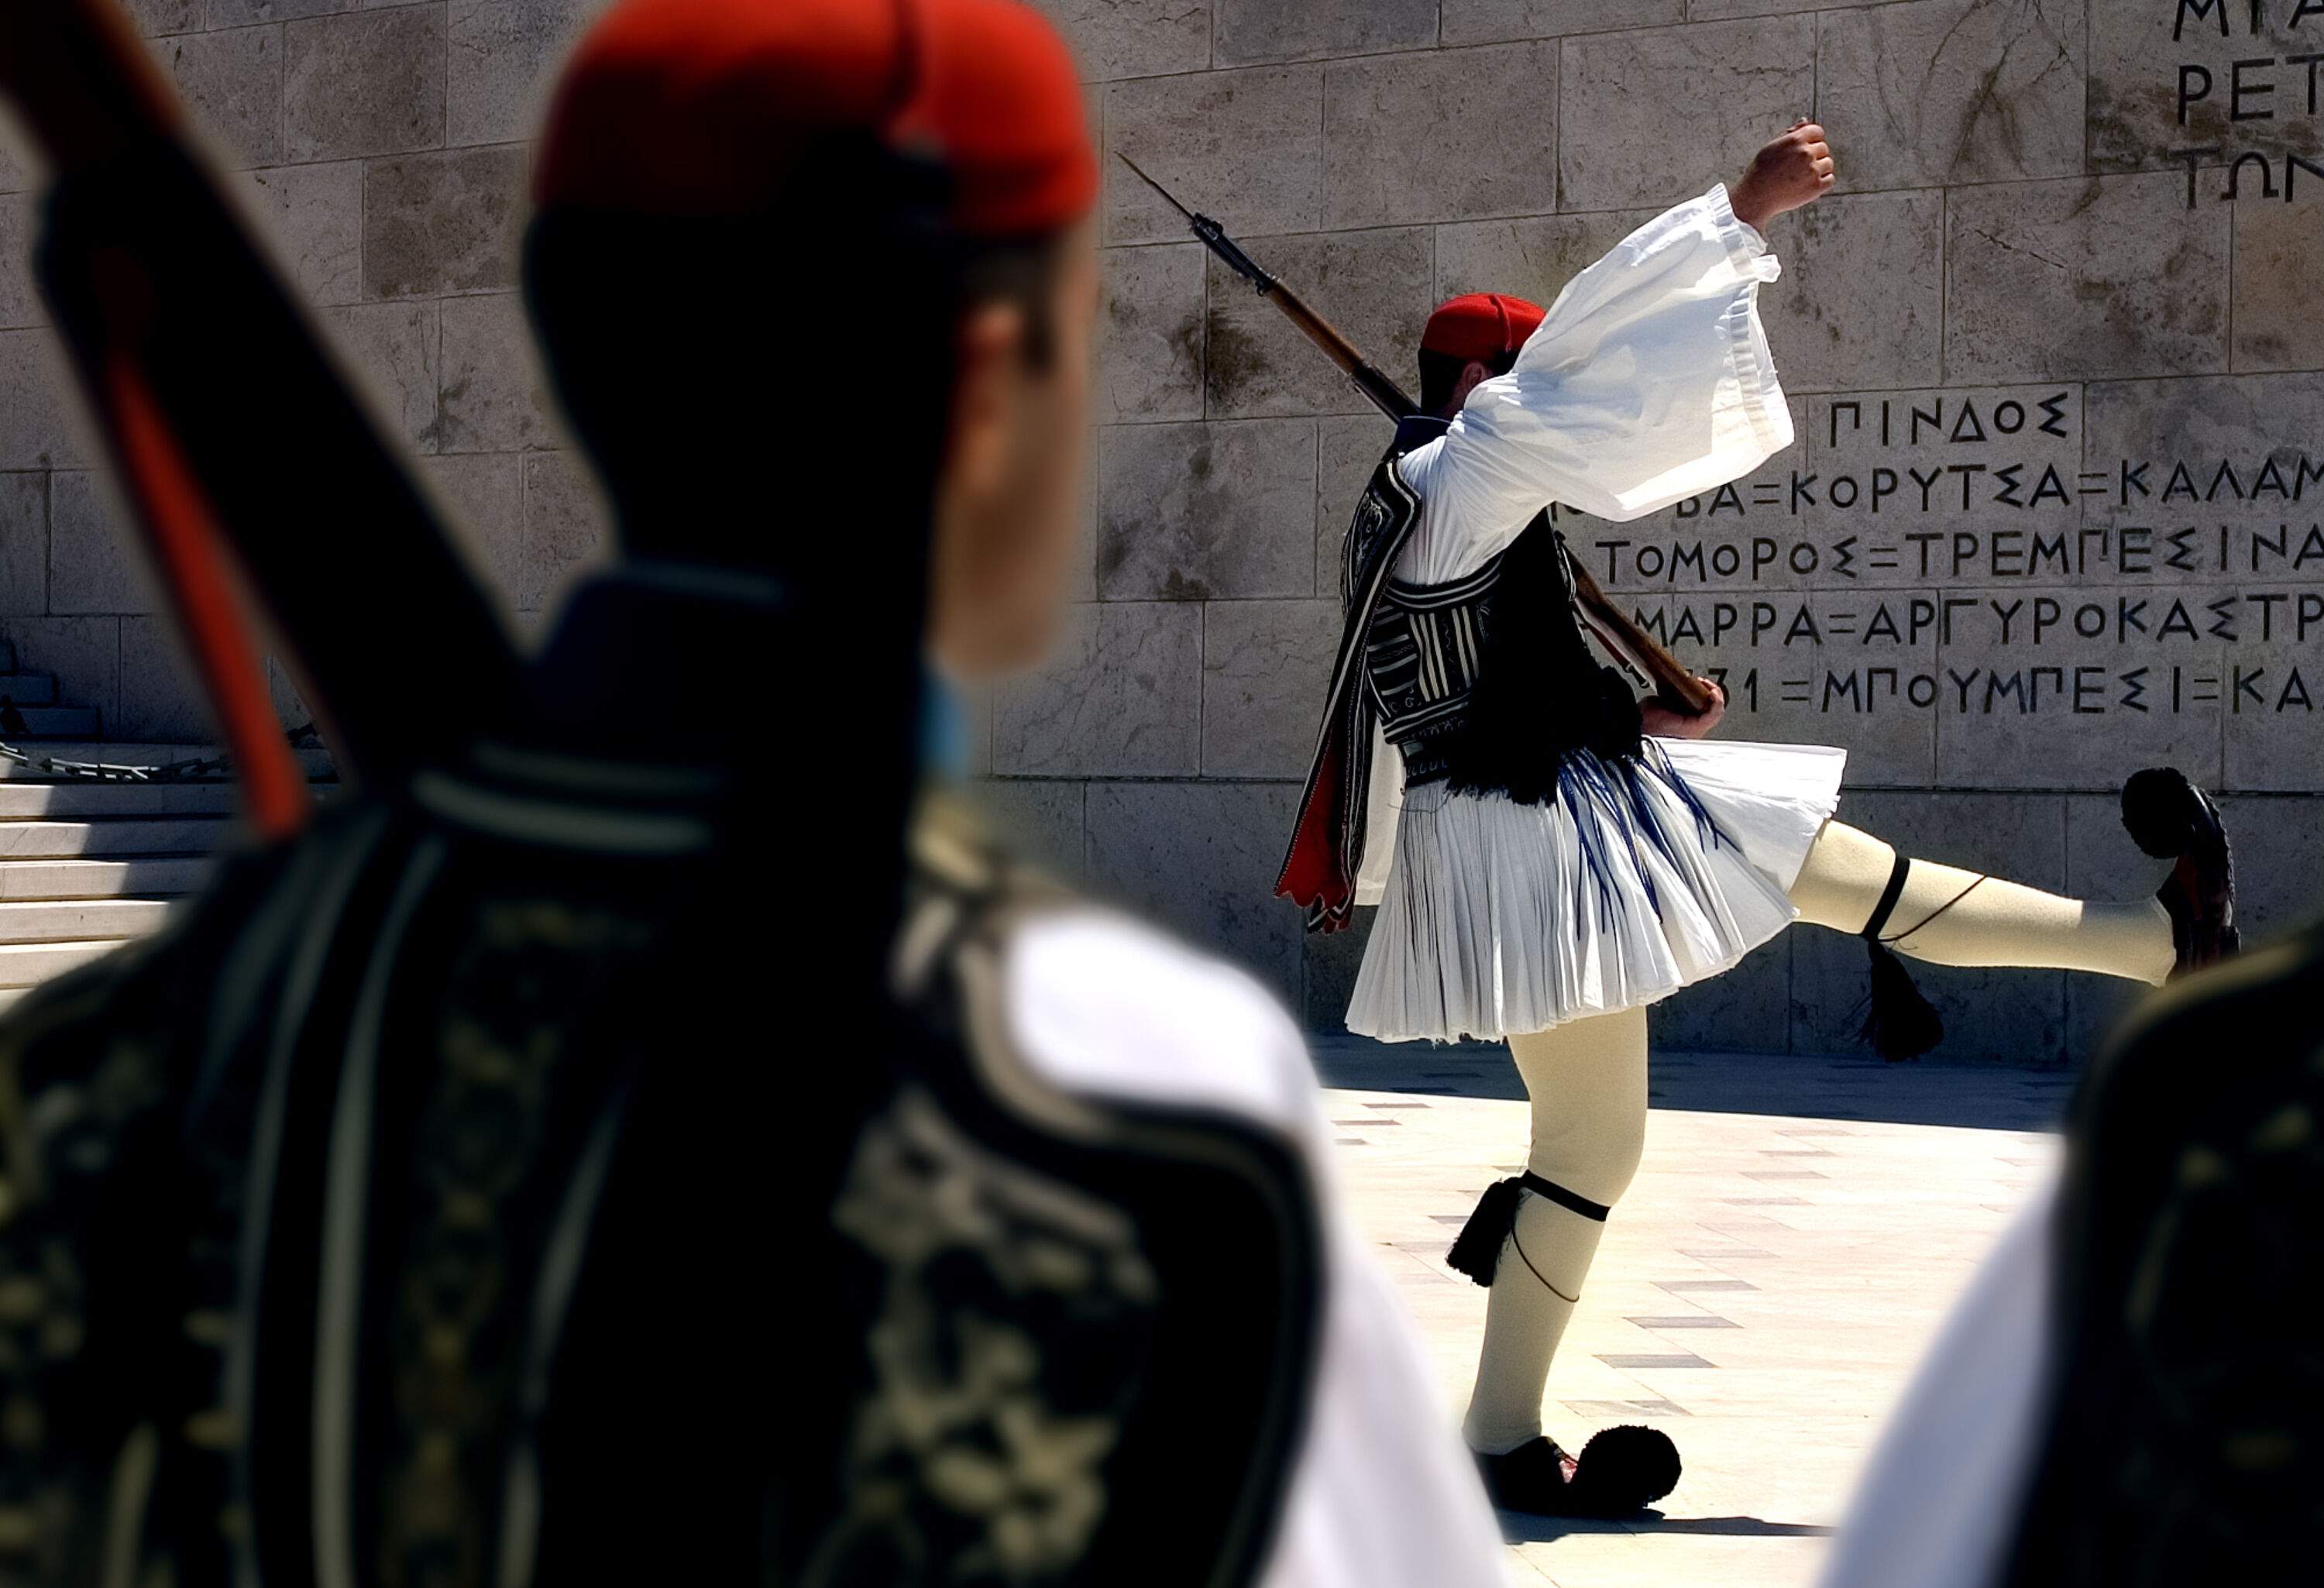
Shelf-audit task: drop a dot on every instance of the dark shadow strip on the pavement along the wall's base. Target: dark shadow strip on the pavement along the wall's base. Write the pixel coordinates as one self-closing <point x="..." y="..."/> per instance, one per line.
<point x="1793" y="1087"/>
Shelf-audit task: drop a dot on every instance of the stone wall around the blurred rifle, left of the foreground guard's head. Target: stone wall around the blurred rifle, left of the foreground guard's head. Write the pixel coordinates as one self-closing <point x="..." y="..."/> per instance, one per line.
<point x="385" y="152"/>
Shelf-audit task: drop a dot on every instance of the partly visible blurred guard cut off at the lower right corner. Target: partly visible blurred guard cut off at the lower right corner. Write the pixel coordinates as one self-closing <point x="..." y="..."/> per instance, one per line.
<point x="2132" y="1389"/>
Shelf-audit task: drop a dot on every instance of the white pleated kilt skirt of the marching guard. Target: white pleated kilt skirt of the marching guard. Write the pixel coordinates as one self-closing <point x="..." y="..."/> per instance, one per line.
<point x="1640" y="880"/>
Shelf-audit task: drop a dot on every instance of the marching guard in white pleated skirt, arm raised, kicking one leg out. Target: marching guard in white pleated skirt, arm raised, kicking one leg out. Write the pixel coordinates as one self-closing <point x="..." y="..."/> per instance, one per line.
<point x="1565" y="857"/>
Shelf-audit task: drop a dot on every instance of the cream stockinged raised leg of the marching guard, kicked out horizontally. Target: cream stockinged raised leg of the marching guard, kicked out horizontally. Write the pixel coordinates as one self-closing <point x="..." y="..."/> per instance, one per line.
<point x="1953" y="917"/>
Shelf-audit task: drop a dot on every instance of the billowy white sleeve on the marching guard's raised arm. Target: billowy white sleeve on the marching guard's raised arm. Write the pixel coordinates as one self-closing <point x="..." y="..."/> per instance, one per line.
<point x="1649" y="382"/>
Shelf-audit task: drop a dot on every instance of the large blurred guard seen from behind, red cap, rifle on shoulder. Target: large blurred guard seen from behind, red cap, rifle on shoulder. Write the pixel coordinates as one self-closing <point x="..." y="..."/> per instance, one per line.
<point x="578" y="1164"/>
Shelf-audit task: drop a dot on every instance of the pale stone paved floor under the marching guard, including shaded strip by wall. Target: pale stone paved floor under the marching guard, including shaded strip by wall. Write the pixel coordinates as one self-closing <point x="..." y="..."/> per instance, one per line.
<point x="1793" y="1240"/>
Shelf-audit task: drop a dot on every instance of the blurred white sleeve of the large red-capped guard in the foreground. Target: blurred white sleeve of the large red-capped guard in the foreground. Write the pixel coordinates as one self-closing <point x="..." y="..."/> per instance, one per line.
<point x="1382" y="1494"/>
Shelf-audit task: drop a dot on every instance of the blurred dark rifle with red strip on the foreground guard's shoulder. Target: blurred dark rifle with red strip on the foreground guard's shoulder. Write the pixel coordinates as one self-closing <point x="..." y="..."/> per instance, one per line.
<point x="185" y="336"/>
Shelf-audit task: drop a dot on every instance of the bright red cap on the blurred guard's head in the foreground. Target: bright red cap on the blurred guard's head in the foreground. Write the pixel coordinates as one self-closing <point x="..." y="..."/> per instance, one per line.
<point x="705" y="108"/>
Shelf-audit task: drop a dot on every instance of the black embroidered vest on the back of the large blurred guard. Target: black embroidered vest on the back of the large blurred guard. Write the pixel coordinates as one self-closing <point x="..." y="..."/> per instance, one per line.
<point x="466" y="1199"/>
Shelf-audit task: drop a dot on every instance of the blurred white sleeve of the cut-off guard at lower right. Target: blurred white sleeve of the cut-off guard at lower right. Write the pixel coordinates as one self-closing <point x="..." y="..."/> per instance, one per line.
<point x="1939" y="1501"/>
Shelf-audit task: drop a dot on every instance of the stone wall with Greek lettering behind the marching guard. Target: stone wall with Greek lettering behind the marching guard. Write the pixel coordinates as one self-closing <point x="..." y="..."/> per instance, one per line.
<point x="2011" y="255"/>
